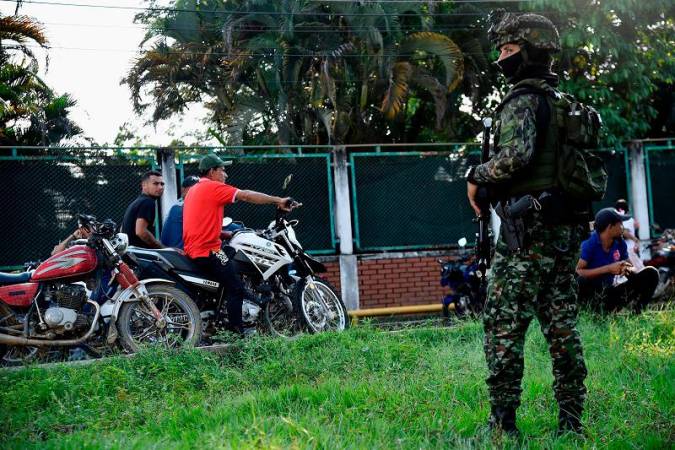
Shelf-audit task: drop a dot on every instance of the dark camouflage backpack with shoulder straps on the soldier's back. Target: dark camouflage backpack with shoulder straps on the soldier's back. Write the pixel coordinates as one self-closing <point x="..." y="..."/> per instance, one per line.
<point x="580" y="173"/>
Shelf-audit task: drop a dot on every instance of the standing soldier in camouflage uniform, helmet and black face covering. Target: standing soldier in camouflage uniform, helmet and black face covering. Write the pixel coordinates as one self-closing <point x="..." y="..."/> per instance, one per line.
<point x="537" y="280"/>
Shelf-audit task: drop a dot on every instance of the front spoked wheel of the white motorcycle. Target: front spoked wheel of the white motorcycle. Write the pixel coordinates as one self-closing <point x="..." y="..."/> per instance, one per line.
<point x="320" y="308"/>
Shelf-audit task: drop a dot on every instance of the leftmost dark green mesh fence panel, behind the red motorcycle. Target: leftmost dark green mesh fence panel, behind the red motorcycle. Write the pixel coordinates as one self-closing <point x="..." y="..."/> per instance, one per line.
<point x="44" y="195"/>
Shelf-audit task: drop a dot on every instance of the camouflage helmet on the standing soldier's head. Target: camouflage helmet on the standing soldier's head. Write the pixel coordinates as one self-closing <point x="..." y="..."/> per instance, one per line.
<point x="534" y="29"/>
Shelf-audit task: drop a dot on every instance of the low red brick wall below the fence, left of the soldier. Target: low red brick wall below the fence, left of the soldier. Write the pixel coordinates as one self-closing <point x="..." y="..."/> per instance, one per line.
<point x="395" y="281"/>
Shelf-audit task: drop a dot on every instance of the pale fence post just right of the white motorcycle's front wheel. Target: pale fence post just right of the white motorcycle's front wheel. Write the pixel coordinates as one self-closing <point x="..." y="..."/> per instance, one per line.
<point x="349" y="272"/>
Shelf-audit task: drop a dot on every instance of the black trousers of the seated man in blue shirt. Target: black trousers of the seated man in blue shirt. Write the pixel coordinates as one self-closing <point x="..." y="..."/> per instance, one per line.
<point x="636" y="292"/>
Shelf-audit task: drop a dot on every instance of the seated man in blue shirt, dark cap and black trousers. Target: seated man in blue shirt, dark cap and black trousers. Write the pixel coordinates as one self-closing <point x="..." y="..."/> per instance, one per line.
<point x="603" y="263"/>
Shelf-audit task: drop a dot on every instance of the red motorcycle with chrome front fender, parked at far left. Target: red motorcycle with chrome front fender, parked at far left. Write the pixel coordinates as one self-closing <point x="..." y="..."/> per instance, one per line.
<point x="51" y="307"/>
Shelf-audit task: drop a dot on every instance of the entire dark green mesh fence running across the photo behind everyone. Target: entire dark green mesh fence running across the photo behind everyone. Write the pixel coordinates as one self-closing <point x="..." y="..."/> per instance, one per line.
<point x="400" y="199"/>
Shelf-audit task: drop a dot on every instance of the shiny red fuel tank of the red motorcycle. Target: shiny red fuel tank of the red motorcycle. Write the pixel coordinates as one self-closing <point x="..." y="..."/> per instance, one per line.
<point x="72" y="262"/>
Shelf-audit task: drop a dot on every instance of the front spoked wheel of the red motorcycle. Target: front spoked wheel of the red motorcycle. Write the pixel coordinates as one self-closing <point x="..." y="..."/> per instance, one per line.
<point x="182" y="324"/>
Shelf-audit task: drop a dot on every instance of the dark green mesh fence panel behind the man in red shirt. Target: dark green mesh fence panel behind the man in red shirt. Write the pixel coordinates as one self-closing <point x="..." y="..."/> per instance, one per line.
<point x="311" y="183"/>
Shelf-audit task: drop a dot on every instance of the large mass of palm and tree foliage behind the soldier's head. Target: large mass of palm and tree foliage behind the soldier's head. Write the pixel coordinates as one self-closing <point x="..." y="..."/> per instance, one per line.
<point x="316" y="72"/>
